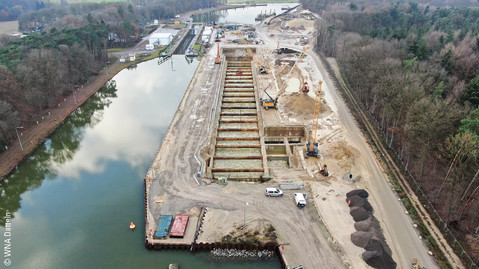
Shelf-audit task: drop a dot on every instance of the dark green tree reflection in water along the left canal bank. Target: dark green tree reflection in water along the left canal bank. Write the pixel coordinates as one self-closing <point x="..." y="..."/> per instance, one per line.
<point x="61" y="147"/>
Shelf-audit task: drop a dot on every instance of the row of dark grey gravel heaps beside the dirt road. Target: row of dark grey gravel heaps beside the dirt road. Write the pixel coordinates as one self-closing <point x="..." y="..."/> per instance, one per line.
<point x="368" y="233"/>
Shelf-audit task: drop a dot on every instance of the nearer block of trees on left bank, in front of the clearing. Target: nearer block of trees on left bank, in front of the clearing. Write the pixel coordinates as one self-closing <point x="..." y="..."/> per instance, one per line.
<point x="40" y="68"/>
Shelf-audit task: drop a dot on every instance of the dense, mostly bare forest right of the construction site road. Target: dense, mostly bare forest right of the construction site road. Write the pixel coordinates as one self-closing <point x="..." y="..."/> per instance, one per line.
<point x="415" y="68"/>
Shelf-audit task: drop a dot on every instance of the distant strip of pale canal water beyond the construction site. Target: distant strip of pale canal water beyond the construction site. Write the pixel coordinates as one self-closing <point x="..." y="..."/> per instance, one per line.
<point x="245" y="15"/>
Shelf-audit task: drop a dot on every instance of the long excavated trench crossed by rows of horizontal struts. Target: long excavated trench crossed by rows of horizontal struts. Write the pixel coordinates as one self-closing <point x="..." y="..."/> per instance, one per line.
<point x="238" y="149"/>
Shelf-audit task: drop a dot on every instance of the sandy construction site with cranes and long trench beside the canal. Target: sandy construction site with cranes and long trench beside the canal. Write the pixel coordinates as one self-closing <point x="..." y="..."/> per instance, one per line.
<point x="262" y="112"/>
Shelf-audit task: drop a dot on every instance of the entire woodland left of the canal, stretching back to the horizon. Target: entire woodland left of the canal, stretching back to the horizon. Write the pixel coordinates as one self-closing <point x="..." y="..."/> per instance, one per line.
<point x="65" y="46"/>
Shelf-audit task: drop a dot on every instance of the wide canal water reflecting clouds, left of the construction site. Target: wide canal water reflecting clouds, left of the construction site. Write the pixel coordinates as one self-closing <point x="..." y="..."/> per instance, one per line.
<point x="72" y="200"/>
